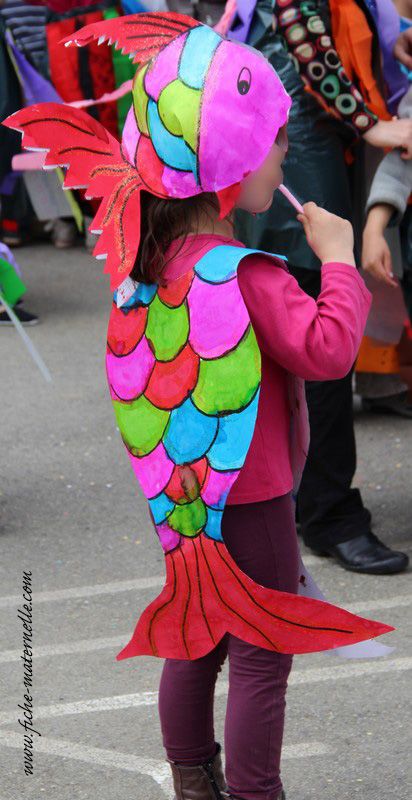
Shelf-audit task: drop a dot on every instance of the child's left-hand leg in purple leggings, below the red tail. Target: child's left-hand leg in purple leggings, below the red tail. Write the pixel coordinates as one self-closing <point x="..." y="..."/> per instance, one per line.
<point x="186" y="696"/>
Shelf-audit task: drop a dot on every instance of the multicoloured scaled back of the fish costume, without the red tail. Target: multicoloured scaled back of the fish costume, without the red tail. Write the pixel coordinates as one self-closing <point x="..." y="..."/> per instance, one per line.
<point x="183" y="367"/>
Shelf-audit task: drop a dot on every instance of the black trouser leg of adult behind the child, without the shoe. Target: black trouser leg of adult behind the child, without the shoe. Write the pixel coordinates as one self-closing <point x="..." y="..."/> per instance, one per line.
<point x="329" y="510"/>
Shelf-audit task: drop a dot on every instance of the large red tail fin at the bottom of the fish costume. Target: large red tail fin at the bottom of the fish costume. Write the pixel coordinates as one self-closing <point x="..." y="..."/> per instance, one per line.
<point x="206" y="594"/>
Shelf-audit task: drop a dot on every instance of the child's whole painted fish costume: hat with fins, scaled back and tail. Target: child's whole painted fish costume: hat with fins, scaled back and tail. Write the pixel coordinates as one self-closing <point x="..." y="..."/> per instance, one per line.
<point x="183" y="364"/>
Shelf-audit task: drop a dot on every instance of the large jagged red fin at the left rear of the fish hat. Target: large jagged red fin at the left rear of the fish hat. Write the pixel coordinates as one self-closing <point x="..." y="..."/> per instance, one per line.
<point x="93" y="160"/>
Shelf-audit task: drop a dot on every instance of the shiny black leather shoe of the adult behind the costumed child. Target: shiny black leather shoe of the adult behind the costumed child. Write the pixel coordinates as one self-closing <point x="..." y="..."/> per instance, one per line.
<point x="367" y="554"/>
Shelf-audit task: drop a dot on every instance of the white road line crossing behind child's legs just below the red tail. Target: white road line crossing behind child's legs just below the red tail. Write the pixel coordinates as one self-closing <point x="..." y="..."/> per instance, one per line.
<point x="297" y="678"/>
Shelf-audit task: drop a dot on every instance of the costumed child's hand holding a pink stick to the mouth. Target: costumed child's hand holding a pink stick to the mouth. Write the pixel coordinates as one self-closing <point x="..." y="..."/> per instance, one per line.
<point x="330" y="237"/>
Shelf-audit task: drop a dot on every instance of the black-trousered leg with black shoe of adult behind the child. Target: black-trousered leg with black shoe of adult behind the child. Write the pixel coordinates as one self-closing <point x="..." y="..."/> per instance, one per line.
<point x="331" y="513"/>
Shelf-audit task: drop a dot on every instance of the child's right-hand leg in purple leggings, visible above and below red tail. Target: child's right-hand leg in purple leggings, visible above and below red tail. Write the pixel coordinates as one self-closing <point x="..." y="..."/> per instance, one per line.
<point x="261" y="537"/>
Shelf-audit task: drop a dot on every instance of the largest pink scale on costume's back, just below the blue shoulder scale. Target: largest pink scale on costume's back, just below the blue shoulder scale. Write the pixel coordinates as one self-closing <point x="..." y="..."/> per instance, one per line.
<point x="212" y="330"/>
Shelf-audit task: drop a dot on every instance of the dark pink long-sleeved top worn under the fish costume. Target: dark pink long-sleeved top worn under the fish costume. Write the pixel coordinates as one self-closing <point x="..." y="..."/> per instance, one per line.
<point x="316" y="340"/>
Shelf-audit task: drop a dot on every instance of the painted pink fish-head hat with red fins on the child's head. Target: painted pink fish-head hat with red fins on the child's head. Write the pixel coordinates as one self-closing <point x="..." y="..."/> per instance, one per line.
<point x="205" y="114"/>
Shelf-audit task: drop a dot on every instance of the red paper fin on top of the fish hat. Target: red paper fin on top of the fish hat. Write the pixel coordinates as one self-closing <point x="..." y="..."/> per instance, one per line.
<point x="141" y="36"/>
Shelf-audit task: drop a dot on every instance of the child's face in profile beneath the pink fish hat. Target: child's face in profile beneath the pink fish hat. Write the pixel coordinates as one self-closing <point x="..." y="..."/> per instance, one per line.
<point x="257" y="189"/>
